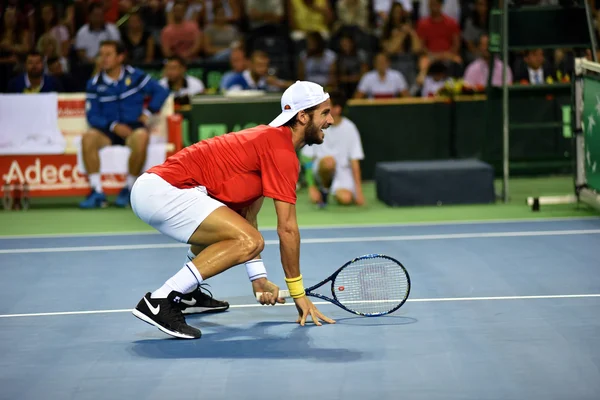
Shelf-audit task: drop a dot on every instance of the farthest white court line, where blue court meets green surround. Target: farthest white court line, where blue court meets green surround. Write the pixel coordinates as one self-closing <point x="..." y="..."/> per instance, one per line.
<point x="321" y="227"/>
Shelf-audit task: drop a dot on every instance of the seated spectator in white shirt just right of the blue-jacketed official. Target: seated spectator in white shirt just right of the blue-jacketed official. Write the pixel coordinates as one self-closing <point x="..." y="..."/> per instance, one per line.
<point x="182" y="85"/>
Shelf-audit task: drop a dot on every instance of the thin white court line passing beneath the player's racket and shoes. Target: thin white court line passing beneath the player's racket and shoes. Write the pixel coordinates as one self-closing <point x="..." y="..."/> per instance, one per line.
<point x="322" y="303"/>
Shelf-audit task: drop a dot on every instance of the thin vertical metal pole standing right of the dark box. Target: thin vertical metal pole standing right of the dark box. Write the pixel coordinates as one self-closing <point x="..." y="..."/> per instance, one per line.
<point x="505" y="120"/>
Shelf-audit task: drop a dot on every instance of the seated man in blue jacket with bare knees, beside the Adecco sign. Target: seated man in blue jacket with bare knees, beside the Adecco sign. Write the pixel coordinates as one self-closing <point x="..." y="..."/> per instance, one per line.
<point x="116" y="115"/>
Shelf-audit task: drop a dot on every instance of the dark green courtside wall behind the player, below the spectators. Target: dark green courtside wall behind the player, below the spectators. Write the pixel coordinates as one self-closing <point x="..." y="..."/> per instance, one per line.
<point x="416" y="129"/>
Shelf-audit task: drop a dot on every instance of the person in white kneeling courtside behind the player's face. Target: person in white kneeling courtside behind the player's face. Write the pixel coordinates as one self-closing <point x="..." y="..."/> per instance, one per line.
<point x="334" y="166"/>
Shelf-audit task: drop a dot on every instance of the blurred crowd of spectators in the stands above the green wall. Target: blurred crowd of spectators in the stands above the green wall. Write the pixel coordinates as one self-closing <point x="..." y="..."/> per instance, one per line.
<point x="364" y="48"/>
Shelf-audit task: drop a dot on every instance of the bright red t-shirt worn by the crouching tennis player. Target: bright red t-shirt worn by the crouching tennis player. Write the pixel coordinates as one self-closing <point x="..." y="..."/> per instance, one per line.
<point x="238" y="168"/>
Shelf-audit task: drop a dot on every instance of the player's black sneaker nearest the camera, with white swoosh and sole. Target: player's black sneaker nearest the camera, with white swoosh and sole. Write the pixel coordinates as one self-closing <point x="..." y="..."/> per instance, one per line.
<point x="166" y="315"/>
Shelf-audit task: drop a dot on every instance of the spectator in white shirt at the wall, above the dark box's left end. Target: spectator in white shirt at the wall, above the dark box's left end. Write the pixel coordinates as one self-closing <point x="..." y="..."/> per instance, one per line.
<point x="382" y="82"/>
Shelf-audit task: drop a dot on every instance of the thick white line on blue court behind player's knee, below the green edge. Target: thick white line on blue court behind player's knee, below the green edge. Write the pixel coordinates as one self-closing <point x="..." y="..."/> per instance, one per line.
<point x="475" y="235"/>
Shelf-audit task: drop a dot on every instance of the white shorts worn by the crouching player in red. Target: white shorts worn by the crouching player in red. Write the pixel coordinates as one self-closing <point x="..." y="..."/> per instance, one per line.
<point x="174" y="212"/>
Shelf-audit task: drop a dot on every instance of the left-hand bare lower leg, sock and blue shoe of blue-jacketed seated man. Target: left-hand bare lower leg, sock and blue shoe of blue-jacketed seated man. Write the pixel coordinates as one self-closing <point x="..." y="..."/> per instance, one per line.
<point x="91" y="144"/>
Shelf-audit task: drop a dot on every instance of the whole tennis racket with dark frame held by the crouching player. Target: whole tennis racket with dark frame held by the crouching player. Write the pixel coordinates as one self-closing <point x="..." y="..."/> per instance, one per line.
<point x="371" y="285"/>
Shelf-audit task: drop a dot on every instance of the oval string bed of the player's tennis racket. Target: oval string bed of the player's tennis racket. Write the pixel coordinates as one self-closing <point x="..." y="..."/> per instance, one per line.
<point x="372" y="286"/>
